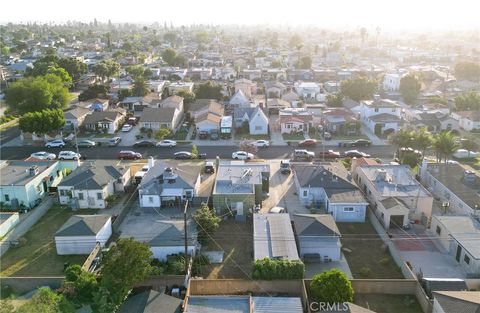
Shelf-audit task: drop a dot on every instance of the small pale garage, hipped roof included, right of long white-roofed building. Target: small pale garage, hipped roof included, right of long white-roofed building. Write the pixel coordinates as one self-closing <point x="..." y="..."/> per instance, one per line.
<point x="318" y="237"/>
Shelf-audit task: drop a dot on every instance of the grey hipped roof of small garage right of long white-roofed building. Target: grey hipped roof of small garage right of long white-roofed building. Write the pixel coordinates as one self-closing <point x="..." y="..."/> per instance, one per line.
<point x="315" y="225"/>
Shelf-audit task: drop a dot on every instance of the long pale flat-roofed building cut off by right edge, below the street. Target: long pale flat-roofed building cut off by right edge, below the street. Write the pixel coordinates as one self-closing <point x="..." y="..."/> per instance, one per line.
<point x="455" y="184"/>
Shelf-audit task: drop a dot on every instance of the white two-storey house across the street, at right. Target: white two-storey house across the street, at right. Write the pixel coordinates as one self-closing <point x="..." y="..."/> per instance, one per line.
<point x="381" y="115"/>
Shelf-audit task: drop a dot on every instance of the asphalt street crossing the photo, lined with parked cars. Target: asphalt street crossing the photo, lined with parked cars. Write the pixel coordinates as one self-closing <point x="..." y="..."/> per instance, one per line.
<point x="273" y="152"/>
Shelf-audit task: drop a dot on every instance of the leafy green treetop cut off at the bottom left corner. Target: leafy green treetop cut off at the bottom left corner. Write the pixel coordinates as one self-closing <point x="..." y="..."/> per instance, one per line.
<point x="47" y="301"/>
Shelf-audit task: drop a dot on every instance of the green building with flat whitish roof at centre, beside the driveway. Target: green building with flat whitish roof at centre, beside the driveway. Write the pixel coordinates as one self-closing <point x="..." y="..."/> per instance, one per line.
<point x="240" y="186"/>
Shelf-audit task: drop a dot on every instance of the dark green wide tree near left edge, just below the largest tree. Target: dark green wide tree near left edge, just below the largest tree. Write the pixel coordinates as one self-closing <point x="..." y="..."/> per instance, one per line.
<point x="42" y="122"/>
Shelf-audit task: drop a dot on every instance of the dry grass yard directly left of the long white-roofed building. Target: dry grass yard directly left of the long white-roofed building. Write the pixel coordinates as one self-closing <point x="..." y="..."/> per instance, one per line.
<point x="237" y="259"/>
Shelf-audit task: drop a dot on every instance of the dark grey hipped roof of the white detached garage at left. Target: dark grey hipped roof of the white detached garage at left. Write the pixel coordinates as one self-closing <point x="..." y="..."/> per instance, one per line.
<point x="83" y="225"/>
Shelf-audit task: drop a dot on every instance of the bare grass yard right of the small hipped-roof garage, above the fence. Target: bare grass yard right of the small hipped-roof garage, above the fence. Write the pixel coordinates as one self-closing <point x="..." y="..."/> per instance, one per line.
<point x="368" y="259"/>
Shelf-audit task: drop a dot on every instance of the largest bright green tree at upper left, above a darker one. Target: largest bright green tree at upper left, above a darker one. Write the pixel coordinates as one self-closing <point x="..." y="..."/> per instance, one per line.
<point x="36" y="94"/>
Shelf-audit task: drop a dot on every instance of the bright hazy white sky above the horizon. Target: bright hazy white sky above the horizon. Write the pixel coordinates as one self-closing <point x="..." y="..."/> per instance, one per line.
<point x="389" y="15"/>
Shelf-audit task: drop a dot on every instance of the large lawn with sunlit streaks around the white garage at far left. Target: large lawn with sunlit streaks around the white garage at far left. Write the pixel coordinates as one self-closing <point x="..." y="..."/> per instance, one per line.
<point x="36" y="254"/>
